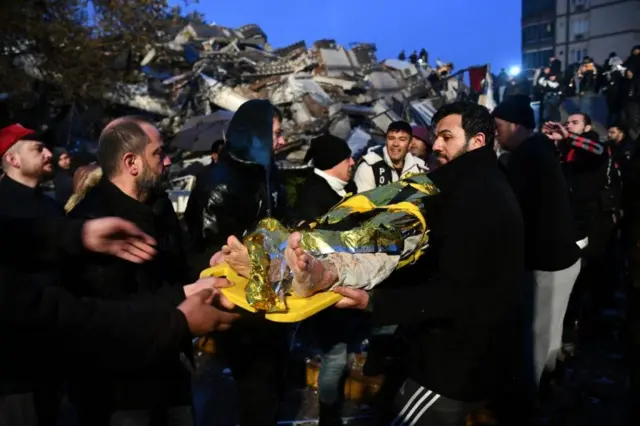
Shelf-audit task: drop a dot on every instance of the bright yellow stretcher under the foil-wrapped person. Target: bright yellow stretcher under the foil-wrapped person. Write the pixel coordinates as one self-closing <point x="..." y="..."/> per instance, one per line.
<point x="299" y="308"/>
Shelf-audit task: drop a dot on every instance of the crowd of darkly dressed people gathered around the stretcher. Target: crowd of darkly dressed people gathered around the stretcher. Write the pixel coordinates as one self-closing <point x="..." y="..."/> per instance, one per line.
<point x="522" y="236"/>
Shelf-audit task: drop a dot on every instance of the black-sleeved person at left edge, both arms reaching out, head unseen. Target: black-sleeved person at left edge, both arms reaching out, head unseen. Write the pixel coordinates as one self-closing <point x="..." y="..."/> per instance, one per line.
<point x="122" y="337"/>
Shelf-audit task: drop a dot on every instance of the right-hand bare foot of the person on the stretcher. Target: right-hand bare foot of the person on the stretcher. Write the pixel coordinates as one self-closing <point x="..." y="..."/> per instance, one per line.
<point x="310" y="275"/>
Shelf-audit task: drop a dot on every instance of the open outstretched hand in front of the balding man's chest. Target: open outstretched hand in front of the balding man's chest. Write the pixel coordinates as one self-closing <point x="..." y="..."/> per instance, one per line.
<point x="118" y="237"/>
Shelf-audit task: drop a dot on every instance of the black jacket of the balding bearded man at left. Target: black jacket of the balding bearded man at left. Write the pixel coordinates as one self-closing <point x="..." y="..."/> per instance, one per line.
<point x="158" y="281"/>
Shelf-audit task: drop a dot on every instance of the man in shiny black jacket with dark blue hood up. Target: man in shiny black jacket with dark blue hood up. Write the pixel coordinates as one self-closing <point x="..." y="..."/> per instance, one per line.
<point x="243" y="188"/>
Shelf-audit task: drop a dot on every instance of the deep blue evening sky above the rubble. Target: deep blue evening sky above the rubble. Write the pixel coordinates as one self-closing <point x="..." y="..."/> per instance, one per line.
<point x="465" y="32"/>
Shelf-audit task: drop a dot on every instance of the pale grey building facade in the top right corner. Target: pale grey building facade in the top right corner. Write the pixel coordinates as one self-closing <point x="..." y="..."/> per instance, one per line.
<point x="595" y="28"/>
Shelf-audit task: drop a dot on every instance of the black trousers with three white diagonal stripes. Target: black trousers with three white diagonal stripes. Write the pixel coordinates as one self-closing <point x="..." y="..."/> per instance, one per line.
<point x="417" y="406"/>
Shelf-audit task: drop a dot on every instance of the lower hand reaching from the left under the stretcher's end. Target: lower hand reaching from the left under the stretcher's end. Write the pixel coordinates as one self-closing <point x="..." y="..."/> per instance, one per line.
<point x="204" y="318"/>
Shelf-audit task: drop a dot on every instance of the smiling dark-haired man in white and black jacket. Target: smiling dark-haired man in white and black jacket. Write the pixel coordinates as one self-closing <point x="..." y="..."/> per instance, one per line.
<point x="388" y="163"/>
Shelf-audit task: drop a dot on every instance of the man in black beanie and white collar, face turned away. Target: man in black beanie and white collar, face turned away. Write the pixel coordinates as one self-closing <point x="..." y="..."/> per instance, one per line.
<point x="335" y="330"/>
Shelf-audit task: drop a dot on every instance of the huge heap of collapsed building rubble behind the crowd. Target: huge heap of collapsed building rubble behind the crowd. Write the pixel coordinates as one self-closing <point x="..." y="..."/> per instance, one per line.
<point x="197" y="69"/>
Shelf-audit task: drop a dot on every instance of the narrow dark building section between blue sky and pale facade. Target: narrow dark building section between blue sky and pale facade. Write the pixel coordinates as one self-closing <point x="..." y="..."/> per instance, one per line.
<point x="538" y="32"/>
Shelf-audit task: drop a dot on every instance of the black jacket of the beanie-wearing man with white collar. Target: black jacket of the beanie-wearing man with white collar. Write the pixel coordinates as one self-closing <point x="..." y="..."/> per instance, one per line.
<point x="316" y="198"/>
